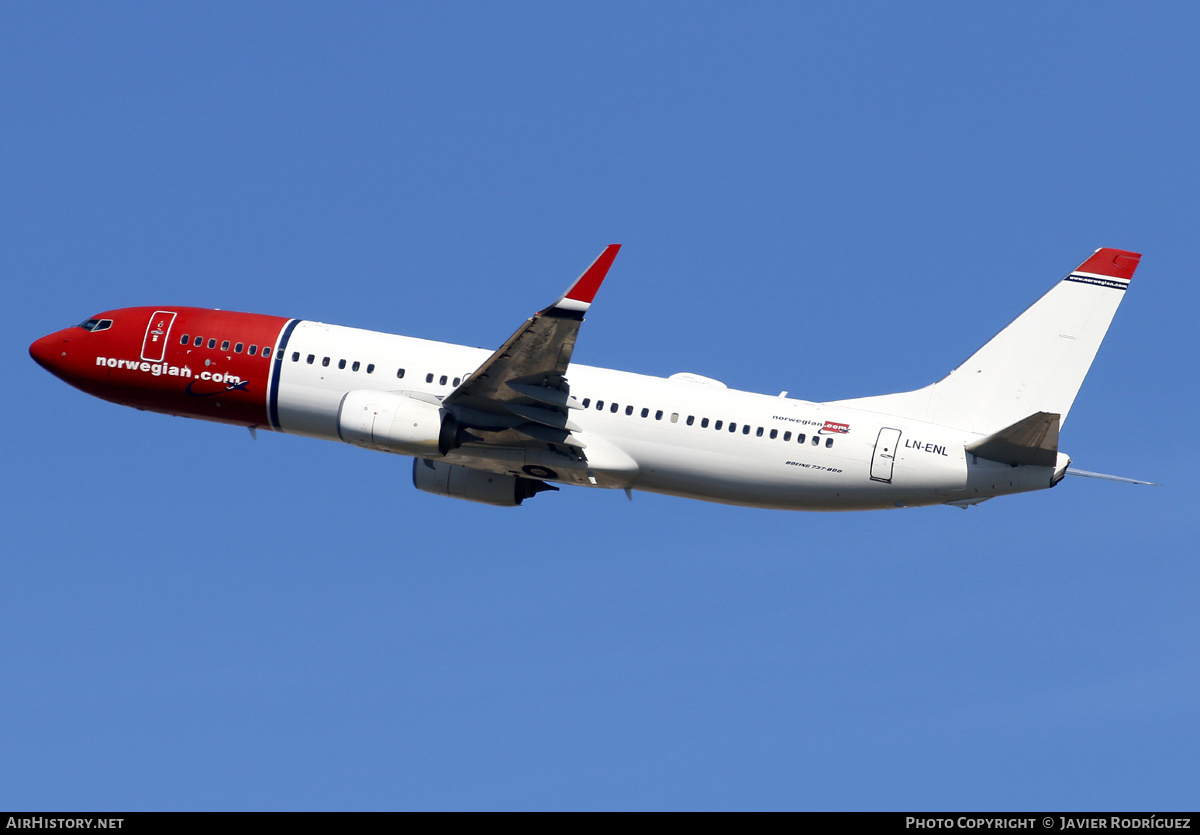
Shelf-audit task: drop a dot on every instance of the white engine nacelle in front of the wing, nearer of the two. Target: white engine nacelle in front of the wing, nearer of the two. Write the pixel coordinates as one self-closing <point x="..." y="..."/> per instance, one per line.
<point x="395" y="423"/>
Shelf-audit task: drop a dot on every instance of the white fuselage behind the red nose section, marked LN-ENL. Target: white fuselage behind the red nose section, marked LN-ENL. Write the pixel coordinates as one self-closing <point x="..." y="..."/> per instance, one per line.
<point x="664" y="437"/>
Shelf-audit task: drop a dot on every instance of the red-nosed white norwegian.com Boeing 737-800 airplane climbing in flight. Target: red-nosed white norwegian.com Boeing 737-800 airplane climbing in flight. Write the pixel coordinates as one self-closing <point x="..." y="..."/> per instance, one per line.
<point x="499" y="428"/>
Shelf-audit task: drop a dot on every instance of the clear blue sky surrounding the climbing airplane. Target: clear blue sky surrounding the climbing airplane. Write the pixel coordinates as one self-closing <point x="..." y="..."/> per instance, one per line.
<point x="831" y="201"/>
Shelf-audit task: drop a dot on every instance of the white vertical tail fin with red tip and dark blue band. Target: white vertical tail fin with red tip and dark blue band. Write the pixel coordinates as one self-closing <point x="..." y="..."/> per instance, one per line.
<point x="1037" y="364"/>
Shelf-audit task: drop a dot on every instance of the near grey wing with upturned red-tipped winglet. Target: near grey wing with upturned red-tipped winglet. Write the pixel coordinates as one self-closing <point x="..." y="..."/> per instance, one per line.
<point x="523" y="388"/>
